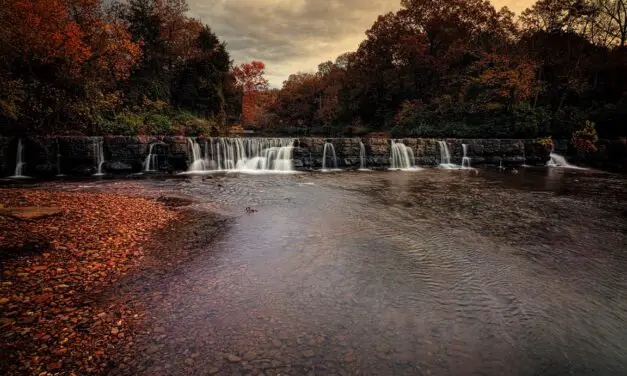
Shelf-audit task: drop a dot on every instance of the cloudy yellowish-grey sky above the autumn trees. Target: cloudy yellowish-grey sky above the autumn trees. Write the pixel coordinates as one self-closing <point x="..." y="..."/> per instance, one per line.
<point x="292" y="36"/>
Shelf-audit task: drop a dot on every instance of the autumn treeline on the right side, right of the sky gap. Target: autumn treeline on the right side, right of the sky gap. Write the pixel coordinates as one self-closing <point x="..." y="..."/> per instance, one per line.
<point x="460" y="68"/>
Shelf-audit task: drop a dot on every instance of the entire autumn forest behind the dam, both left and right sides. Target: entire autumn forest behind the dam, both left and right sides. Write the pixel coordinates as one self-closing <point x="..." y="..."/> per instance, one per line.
<point x="455" y="68"/>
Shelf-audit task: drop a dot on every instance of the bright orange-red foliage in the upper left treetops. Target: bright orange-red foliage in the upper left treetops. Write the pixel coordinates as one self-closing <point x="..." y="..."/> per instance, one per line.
<point x="71" y="31"/>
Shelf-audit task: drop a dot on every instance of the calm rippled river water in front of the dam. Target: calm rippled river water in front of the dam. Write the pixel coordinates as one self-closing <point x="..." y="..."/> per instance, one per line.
<point x="433" y="272"/>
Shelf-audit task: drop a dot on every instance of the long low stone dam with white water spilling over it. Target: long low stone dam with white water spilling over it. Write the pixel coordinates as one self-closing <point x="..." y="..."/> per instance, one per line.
<point x="78" y="155"/>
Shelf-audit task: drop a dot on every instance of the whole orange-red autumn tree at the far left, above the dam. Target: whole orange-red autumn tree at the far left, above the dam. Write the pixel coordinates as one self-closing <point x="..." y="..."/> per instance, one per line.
<point x="62" y="60"/>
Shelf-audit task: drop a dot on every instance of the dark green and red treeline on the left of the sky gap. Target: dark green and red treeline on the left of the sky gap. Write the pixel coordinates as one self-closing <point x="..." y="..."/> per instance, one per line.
<point x="96" y="67"/>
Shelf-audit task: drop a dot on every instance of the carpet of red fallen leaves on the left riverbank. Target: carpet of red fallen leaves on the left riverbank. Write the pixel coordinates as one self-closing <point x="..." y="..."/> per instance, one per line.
<point x="57" y="266"/>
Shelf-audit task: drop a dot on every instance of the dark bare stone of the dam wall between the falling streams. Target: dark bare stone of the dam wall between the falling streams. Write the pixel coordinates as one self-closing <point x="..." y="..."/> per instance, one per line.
<point x="48" y="156"/>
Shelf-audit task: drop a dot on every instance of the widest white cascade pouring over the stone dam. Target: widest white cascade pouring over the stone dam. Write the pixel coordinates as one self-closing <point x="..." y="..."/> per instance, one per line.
<point x="252" y="155"/>
